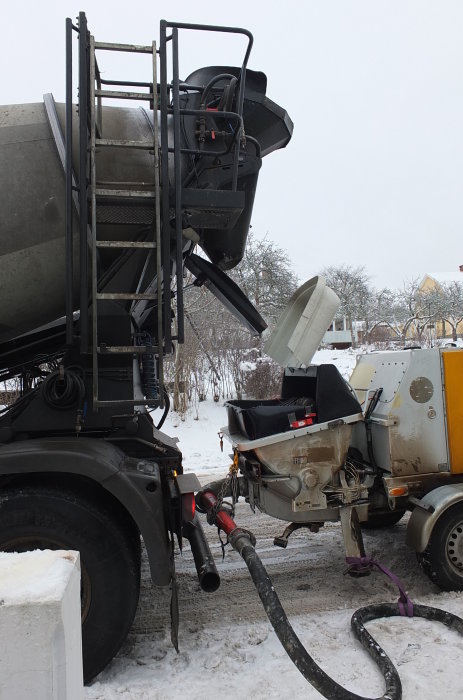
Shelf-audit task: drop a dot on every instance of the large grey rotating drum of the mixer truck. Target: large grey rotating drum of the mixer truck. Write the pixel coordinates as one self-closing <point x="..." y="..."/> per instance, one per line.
<point x="32" y="200"/>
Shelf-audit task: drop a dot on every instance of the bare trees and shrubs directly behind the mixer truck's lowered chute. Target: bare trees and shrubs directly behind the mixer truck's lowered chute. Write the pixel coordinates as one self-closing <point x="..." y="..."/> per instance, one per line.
<point x="216" y="345"/>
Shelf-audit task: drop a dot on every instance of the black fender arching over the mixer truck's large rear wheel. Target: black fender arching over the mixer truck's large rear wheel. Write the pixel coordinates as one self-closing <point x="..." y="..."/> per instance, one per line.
<point x="135" y="483"/>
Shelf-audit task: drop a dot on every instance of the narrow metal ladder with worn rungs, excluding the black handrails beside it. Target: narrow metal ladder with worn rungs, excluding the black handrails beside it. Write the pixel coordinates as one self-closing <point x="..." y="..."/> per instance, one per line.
<point x="131" y="192"/>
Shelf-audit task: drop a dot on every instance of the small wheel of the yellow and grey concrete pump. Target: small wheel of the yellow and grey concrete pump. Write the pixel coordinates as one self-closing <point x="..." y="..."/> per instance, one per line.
<point x="442" y="560"/>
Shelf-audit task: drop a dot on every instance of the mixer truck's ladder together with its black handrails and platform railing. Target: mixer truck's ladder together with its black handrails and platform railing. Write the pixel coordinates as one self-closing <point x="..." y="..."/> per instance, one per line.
<point x="166" y="203"/>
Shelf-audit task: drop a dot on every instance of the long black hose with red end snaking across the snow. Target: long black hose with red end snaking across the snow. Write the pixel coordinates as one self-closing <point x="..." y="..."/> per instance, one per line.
<point x="243" y="542"/>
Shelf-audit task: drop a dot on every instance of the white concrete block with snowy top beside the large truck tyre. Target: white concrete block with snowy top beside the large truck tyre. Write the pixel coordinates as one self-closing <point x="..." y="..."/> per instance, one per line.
<point x="40" y="627"/>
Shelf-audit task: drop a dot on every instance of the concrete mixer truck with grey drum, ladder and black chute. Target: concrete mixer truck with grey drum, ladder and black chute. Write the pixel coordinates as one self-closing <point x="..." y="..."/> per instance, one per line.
<point x="102" y="209"/>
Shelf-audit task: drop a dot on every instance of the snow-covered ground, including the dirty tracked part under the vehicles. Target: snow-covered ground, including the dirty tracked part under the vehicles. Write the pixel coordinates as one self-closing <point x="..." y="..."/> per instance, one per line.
<point x="227" y="646"/>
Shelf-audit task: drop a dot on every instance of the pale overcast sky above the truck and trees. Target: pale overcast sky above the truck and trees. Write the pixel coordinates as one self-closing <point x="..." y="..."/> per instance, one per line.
<point x="374" y="173"/>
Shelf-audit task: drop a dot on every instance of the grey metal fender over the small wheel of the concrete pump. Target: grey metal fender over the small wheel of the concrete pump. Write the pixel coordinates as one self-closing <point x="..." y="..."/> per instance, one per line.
<point x="428" y="510"/>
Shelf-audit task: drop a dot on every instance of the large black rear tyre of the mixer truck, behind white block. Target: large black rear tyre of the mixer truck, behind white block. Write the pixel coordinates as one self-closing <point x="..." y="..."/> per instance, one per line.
<point x="109" y="546"/>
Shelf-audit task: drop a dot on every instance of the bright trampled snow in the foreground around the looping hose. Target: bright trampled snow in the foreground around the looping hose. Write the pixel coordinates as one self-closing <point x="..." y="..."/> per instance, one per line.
<point x="247" y="661"/>
